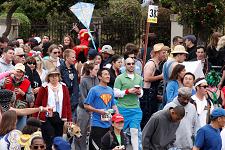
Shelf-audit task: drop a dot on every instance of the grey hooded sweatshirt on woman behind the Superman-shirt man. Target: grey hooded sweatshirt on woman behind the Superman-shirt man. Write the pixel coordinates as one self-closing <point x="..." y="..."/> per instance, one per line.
<point x="87" y="82"/>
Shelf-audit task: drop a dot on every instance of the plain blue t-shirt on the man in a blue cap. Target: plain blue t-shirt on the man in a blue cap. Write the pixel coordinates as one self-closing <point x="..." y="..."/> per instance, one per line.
<point x="208" y="138"/>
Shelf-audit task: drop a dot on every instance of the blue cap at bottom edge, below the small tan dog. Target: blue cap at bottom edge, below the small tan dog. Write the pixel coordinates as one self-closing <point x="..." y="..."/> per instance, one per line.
<point x="61" y="144"/>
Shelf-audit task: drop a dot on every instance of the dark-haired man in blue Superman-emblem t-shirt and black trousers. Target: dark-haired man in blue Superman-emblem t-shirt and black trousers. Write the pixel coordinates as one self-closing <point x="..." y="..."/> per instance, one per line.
<point x="100" y="99"/>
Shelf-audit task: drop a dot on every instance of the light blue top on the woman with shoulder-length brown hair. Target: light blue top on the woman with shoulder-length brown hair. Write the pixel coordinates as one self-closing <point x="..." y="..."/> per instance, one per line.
<point x="172" y="90"/>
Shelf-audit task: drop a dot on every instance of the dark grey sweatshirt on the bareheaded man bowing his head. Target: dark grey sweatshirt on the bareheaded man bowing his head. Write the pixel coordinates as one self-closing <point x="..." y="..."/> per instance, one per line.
<point x="159" y="132"/>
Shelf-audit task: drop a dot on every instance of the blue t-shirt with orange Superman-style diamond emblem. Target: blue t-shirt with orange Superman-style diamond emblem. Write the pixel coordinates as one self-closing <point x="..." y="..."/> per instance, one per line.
<point x="100" y="97"/>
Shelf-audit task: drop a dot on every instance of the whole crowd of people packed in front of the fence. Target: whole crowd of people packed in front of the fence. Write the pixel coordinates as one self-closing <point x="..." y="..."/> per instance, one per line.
<point x="117" y="101"/>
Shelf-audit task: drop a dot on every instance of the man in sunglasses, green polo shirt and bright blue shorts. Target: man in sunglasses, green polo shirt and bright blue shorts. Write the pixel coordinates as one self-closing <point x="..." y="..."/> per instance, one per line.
<point x="127" y="88"/>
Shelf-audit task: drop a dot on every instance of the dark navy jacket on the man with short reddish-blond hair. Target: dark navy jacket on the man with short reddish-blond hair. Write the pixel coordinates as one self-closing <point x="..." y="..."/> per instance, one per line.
<point x="73" y="84"/>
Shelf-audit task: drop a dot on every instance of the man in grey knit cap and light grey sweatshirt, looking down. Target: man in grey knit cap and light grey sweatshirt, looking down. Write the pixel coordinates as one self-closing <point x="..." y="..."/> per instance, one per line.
<point x="189" y="124"/>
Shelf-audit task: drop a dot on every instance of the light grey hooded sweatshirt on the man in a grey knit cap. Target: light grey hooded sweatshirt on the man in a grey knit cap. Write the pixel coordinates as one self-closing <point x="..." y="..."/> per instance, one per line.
<point x="188" y="125"/>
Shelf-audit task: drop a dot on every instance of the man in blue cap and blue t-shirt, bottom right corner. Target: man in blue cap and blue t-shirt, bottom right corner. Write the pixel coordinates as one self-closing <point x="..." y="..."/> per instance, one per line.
<point x="208" y="137"/>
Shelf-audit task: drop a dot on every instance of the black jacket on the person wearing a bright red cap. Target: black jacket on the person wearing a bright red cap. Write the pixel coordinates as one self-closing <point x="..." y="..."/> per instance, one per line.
<point x="109" y="140"/>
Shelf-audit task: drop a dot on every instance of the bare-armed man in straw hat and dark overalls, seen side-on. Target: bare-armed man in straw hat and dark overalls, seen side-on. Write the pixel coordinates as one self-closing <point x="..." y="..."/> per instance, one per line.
<point x="152" y="78"/>
